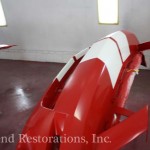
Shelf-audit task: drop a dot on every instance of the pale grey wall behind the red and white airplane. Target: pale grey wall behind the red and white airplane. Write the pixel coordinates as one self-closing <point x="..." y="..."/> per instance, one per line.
<point x="54" y="30"/>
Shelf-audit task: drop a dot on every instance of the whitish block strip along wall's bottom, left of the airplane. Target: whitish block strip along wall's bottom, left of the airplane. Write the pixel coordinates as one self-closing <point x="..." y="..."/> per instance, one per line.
<point x="37" y="55"/>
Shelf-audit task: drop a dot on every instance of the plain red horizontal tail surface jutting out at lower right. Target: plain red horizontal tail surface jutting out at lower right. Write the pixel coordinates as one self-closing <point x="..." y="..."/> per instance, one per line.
<point x="124" y="132"/>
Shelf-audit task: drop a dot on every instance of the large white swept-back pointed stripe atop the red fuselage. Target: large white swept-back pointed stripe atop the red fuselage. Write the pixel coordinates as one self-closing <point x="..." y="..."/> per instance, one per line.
<point x="107" y="51"/>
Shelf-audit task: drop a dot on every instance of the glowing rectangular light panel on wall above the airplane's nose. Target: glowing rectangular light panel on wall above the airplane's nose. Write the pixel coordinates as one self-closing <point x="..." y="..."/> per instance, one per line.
<point x="108" y="11"/>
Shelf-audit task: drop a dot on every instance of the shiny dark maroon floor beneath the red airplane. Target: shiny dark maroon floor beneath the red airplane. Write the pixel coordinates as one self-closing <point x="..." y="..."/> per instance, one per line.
<point x="22" y="84"/>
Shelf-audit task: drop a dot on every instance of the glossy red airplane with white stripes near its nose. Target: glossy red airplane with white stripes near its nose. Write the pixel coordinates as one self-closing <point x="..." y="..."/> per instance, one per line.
<point x="82" y="108"/>
